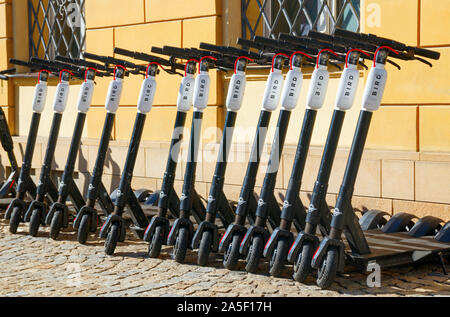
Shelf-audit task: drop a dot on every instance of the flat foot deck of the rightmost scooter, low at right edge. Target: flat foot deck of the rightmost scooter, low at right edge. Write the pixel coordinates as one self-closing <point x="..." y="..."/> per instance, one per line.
<point x="393" y="249"/>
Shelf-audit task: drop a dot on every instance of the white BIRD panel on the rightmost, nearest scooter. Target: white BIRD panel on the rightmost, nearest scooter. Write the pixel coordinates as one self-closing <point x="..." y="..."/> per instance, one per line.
<point x="373" y="92"/>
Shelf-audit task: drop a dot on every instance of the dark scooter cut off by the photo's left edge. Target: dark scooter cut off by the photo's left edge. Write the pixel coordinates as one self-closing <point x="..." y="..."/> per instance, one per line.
<point x="7" y="187"/>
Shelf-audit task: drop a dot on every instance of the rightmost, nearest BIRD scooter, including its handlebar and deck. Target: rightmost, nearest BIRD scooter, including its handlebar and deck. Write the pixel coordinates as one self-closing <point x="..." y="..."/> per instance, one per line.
<point x="383" y="246"/>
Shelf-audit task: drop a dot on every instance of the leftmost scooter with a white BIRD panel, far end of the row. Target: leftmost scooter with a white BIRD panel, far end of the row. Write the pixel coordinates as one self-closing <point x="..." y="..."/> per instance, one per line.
<point x="25" y="185"/>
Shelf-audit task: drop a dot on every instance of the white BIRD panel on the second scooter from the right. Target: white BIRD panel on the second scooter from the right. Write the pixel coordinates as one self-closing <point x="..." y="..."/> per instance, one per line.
<point x="348" y="86"/>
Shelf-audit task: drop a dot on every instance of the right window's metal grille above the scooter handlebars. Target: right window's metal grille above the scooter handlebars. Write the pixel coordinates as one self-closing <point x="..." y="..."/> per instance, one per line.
<point x="297" y="17"/>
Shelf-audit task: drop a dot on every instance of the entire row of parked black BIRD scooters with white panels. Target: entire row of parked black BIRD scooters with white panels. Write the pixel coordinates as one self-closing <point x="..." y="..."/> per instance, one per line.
<point x="255" y="226"/>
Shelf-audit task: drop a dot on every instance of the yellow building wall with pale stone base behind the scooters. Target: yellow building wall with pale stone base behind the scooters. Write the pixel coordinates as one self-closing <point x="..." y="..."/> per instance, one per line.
<point x="406" y="165"/>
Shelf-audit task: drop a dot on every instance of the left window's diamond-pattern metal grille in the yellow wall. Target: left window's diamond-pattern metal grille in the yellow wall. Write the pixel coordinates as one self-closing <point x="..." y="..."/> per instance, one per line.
<point x="56" y="27"/>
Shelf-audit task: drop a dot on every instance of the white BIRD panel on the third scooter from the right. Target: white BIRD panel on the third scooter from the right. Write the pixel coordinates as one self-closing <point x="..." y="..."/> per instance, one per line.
<point x="318" y="88"/>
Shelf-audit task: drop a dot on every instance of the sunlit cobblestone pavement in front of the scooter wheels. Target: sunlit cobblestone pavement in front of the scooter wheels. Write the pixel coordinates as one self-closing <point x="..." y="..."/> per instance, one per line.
<point x="43" y="267"/>
